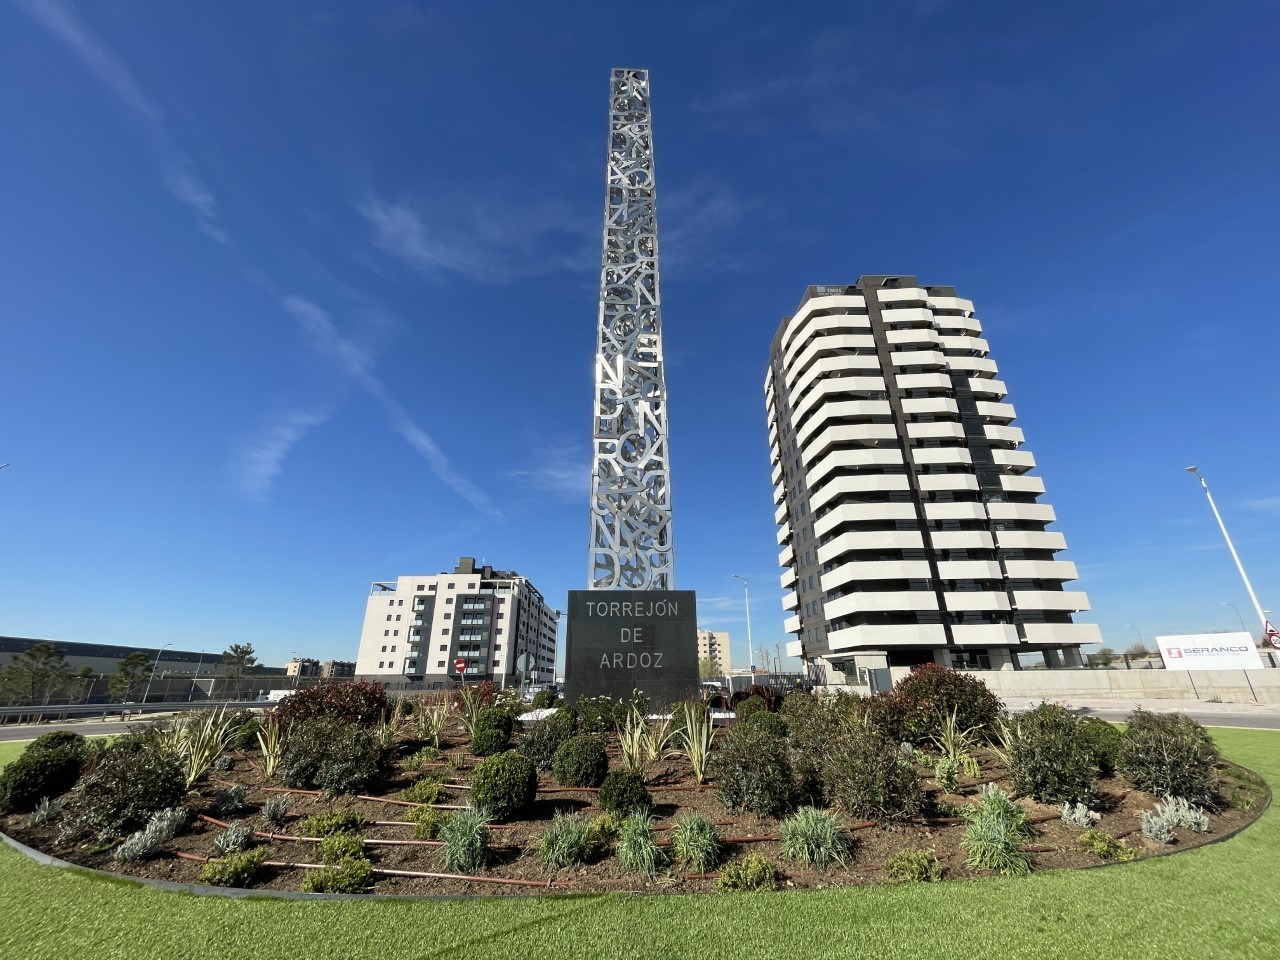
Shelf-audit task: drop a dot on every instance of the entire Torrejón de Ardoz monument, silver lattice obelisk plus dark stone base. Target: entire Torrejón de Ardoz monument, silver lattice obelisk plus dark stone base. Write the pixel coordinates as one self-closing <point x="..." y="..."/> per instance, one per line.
<point x="632" y="630"/>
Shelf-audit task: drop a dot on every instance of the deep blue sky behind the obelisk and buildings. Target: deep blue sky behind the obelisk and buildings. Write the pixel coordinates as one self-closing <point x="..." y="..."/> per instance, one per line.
<point x="299" y="296"/>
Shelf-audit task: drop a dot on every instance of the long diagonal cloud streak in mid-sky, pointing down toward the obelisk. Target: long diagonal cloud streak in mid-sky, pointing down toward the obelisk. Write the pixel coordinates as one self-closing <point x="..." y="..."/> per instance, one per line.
<point x="324" y="337"/>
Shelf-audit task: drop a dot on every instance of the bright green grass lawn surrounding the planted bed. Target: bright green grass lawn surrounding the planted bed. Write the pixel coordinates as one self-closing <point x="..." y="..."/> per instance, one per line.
<point x="1218" y="902"/>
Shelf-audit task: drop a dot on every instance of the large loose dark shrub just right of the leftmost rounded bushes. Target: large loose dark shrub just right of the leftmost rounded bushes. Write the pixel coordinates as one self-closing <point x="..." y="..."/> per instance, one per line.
<point x="131" y="781"/>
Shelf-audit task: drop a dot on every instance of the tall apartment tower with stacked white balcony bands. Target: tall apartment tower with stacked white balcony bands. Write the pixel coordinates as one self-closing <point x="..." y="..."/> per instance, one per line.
<point x="911" y="524"/>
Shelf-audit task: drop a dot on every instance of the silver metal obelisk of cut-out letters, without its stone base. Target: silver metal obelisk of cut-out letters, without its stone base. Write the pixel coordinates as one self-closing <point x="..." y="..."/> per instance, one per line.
<point x="630" y="477"/>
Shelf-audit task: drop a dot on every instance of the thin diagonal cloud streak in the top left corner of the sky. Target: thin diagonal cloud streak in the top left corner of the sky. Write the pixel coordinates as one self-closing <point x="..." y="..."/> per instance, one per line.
<point x="61" y="20"/>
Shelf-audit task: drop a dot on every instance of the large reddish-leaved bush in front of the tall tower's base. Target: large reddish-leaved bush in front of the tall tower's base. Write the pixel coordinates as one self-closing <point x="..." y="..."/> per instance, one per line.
<point x="929" y="694"/>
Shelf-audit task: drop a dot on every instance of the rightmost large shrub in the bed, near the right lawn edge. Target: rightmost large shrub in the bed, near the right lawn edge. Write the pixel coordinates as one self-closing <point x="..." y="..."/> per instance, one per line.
<point x="1169" y="755"/>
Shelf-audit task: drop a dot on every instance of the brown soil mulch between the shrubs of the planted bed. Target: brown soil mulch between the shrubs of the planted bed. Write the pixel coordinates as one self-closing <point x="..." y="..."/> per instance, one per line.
<point x="675" y="794"/>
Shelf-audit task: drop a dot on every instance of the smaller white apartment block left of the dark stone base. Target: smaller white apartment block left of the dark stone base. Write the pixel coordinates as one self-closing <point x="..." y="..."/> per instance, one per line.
<point x="418" y="627"/>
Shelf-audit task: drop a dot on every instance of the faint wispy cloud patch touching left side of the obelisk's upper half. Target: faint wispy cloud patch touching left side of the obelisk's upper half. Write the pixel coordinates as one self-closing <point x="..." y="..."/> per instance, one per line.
<point x="490" y="241"/>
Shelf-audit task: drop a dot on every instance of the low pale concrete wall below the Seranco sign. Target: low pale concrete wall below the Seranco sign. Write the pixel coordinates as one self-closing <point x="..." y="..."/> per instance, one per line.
<point x="1224" y="685"/>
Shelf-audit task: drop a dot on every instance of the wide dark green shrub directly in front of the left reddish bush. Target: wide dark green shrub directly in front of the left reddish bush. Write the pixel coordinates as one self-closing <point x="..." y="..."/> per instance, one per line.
<point x="331" y="755"/>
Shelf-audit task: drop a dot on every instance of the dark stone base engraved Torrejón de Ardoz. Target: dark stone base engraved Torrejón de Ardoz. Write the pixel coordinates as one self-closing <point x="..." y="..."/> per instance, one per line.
<point x="619" y="642"/>
